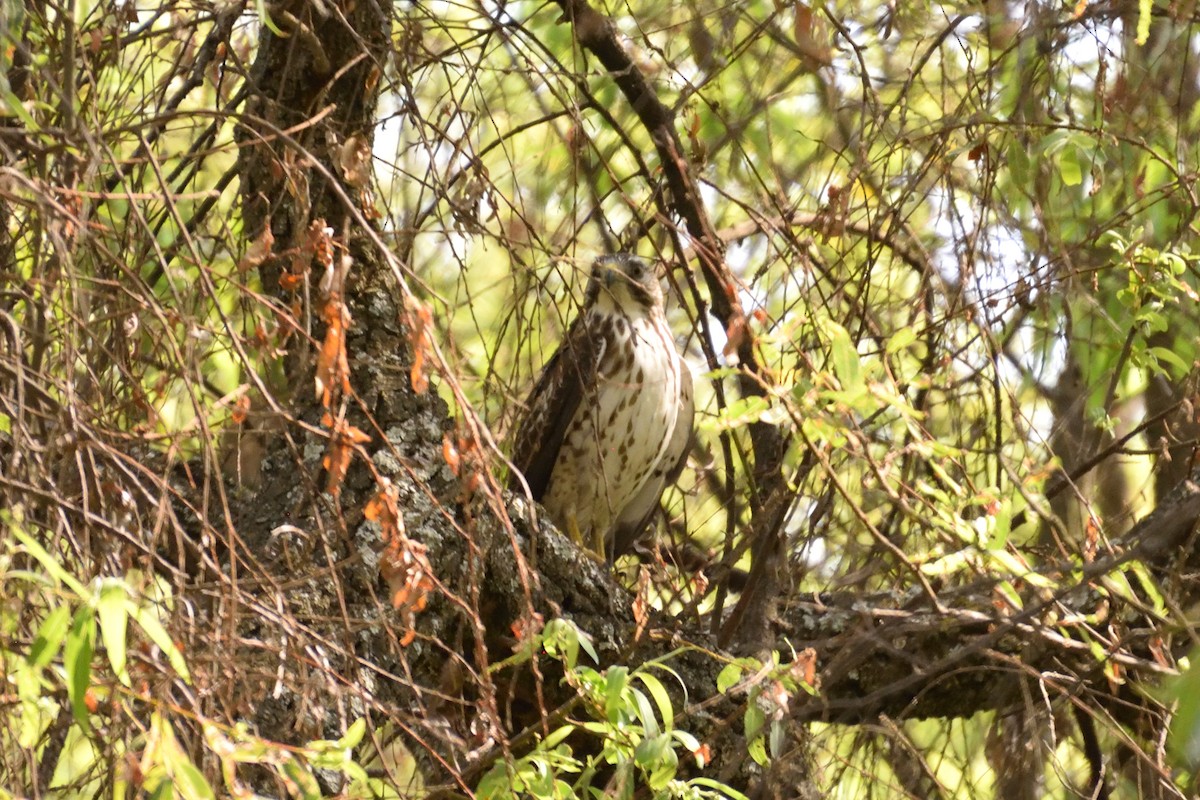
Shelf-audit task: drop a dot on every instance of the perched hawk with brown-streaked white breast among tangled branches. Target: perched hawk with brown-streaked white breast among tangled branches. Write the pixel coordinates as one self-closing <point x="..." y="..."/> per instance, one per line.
<point x="610" y="422"/>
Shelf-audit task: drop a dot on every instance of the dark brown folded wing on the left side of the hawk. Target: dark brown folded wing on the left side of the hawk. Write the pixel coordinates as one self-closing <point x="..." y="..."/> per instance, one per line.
<point x="565" y="381"/>
